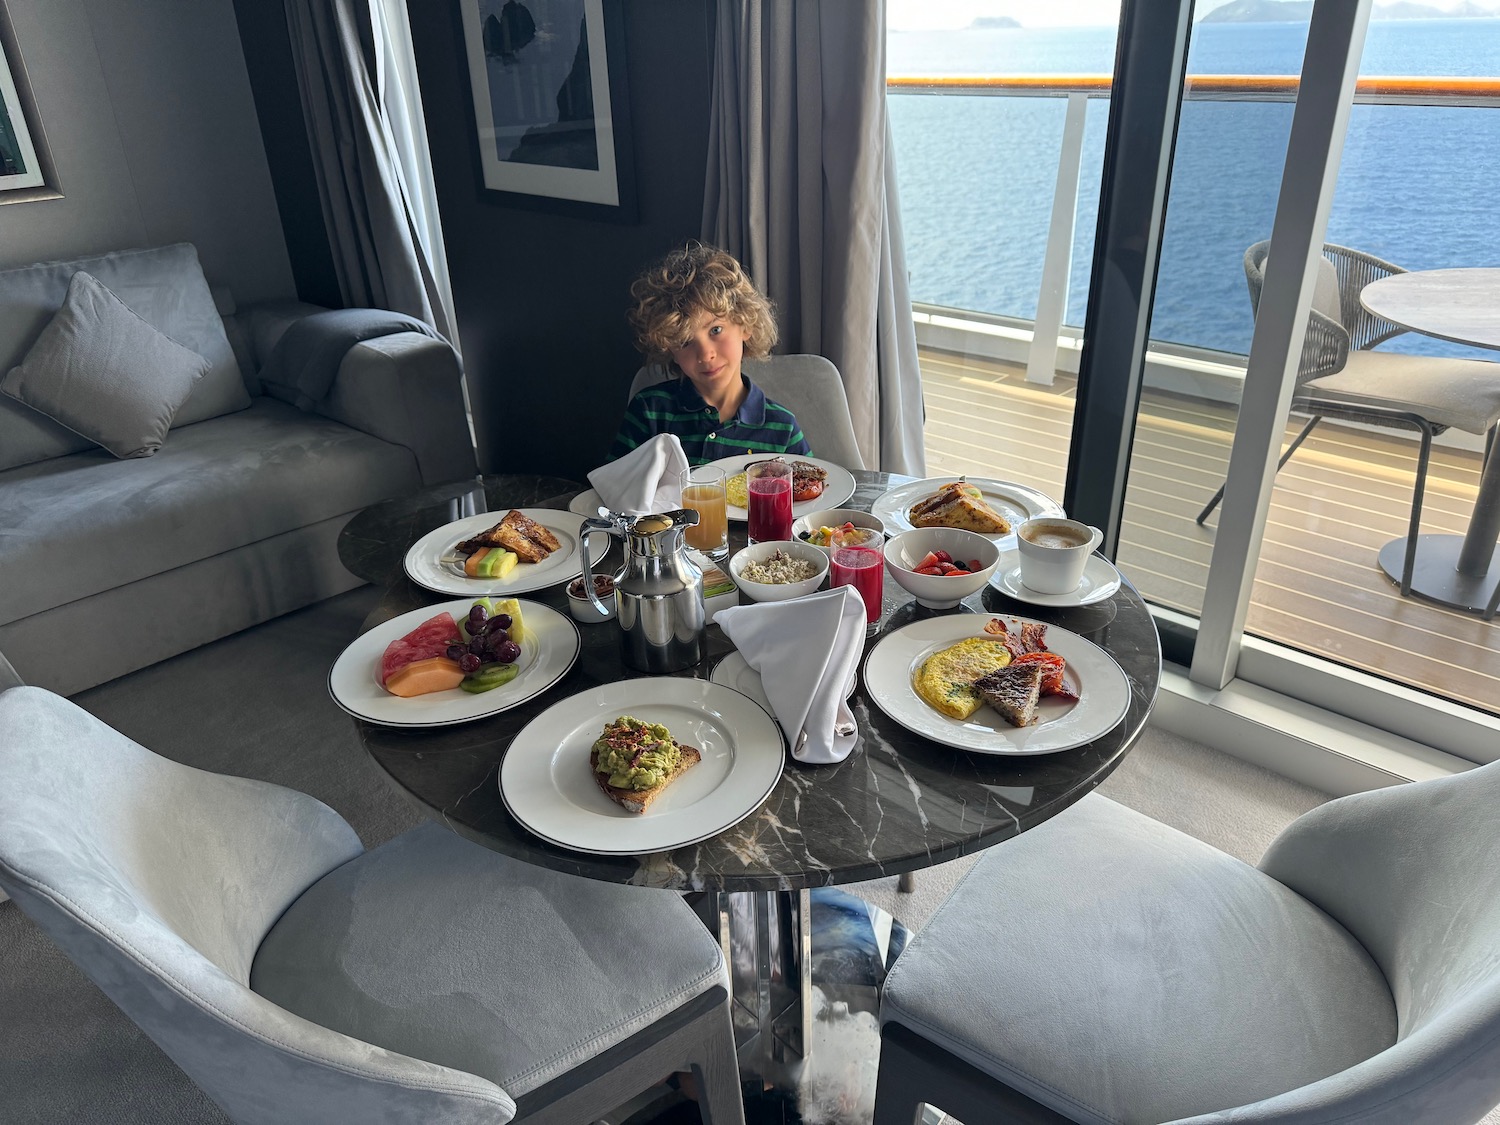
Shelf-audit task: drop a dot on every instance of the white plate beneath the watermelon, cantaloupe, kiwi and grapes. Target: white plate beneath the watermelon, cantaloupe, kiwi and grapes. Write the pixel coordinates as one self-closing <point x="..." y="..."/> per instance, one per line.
<point x="548" y="653"/>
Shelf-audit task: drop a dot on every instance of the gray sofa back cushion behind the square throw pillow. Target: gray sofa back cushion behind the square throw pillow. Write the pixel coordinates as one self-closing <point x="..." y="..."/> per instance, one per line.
<point x="164" y="286"/>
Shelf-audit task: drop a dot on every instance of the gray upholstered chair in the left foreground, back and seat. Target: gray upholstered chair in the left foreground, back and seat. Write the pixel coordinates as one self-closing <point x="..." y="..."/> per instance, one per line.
<point x="299" y="979"/>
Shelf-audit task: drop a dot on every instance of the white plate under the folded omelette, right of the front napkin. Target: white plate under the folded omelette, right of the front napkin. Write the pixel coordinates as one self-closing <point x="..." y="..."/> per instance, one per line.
<point x="1102" y="686"/>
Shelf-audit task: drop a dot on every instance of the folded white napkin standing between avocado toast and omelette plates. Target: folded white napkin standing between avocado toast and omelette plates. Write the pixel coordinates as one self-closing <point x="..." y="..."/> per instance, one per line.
<point x="808" y="652"/>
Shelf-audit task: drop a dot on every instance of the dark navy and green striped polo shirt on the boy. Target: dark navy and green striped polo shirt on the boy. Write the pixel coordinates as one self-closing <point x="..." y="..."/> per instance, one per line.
<point x="676" y="407"/>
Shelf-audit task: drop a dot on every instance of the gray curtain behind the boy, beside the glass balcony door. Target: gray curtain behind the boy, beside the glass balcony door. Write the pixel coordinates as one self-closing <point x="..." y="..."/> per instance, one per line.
<point x="802" y="188"/>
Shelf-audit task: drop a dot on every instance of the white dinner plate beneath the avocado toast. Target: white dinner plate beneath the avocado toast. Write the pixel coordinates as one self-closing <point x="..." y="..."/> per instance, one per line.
<point x="550" y="788"/>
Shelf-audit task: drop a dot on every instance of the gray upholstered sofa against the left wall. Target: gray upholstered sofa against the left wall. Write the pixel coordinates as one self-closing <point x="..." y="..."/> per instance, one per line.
<point x="112" y="562"/>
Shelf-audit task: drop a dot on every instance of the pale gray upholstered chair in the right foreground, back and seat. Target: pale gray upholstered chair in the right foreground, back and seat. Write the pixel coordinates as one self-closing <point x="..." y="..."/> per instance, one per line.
<point x="1106" y="968"/>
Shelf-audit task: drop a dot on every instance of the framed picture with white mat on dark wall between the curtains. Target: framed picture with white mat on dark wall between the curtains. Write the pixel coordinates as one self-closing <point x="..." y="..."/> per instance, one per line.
<point x="551" y="115"/>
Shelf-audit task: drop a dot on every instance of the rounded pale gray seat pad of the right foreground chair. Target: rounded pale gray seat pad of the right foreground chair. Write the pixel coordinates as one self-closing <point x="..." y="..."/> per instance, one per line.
<point x="1117" y="970"/>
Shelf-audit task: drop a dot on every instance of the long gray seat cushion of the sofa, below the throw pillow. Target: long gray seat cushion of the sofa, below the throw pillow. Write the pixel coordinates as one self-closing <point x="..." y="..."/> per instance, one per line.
<point x="77" y="526"/>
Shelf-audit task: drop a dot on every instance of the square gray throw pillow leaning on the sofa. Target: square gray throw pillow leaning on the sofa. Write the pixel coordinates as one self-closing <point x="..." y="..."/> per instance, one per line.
<point x="104" y="373"/>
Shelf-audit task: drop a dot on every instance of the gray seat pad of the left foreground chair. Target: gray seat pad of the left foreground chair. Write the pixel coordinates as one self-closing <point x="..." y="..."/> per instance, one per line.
<point x="496" y="968"/>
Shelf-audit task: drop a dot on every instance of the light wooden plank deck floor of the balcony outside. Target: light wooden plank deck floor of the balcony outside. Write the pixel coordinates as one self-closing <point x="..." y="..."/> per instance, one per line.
<point x="1340" y="499"/>
